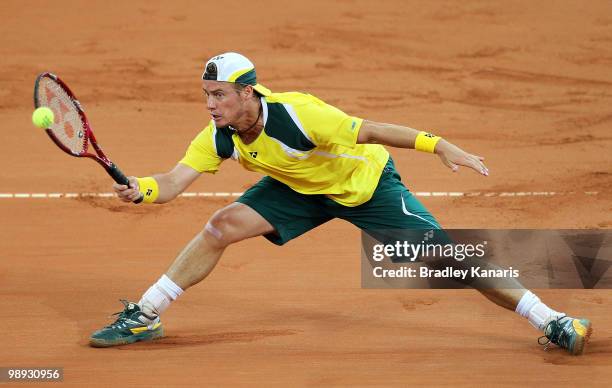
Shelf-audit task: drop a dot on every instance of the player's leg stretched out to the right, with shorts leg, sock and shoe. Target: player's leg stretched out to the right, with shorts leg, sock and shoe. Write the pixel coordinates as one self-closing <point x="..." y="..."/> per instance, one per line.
<point x="393" y="207"/>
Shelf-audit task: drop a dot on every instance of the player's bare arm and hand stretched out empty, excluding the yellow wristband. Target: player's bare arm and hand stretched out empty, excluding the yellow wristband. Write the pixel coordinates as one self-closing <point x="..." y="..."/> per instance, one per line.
<point x="405" y="137"/>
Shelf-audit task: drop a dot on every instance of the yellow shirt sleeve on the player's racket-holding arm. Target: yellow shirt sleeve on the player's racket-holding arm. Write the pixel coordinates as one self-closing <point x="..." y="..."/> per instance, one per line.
<point x="202" y="154"/>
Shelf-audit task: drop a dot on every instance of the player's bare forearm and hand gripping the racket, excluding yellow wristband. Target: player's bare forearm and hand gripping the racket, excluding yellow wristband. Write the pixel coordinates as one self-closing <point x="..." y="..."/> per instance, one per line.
<point x="169" y="185"/>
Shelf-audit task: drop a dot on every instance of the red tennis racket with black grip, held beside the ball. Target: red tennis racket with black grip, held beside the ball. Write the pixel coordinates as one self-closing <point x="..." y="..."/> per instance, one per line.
<point x="70" y="130"/>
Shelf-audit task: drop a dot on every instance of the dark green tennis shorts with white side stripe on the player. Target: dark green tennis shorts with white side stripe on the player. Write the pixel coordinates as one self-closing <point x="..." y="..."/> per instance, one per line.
<point x="292" y="214"/>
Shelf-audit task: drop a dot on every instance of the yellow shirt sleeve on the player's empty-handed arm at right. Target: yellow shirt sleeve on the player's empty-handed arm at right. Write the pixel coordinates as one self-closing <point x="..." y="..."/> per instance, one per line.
<point x="327" y="125"/>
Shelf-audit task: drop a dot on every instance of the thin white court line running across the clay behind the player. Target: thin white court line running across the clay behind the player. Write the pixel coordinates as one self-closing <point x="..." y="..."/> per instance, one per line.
<point x="238" y="194"/>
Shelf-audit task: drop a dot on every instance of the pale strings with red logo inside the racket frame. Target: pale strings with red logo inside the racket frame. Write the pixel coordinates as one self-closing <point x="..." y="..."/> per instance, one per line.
<point x="67" y="126"/>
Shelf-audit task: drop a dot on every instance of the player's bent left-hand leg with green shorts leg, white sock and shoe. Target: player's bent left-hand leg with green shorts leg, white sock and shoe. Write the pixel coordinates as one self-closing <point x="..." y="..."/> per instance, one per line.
<point x="269" y="208"/>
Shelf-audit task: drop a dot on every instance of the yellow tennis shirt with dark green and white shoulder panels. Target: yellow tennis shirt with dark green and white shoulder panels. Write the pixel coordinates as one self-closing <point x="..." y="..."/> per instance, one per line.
<point x="306" y="144"/>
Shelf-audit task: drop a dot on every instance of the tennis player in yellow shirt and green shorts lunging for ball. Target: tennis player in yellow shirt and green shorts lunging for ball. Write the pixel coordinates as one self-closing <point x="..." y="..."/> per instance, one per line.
<point x="319" y="163"/>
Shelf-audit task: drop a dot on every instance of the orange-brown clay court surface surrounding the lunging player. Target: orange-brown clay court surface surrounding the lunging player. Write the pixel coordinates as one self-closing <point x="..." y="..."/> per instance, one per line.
<point x="528" y="86"/>
